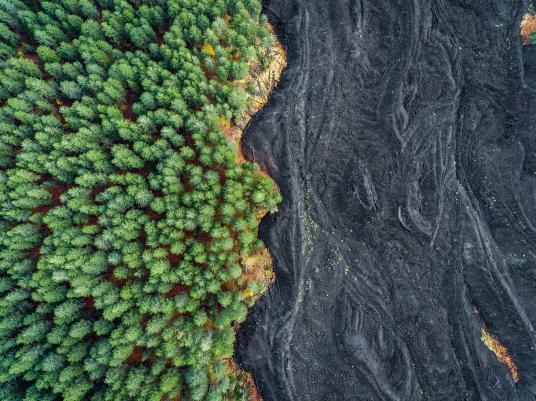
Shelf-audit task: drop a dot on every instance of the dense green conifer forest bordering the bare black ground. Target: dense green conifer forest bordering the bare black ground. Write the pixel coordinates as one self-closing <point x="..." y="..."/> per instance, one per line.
<point x="125" y="216"/>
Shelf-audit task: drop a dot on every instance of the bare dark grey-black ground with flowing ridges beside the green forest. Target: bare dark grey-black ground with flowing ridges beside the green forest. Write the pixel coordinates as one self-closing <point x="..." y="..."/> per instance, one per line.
<point x="403" y="138"/>
